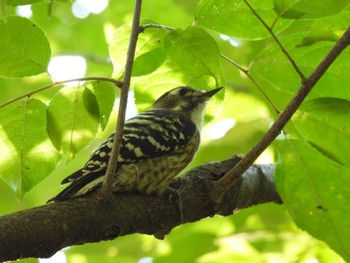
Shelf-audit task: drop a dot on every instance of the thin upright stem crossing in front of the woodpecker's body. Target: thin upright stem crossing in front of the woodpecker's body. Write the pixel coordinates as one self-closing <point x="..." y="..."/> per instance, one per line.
<point x="112" y="164"/>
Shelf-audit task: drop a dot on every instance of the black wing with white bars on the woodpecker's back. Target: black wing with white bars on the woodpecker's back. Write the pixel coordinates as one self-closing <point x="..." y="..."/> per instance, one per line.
<point x="150" y="134"/>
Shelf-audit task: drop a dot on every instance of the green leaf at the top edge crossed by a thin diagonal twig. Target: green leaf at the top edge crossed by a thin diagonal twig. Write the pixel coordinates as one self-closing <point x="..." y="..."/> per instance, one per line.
<point x="235" y="19"/>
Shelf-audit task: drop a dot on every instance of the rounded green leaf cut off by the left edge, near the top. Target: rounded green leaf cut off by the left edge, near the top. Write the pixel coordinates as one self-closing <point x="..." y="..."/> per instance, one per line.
<point x="24" y="49"/>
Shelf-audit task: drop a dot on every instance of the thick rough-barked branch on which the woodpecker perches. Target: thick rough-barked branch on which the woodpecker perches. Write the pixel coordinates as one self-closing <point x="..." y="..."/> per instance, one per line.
<point x="42" y="231"/>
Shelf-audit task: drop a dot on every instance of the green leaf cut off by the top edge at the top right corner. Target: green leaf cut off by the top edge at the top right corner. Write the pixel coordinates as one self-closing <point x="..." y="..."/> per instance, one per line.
<point x="308" y="9"/>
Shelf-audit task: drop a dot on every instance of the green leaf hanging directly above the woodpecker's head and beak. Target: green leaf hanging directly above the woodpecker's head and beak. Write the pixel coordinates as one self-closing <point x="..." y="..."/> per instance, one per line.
<point x="194" y="51"/>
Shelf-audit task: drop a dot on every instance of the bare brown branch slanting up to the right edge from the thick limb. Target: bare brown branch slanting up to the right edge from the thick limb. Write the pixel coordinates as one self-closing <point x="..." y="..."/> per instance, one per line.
<point x="285" y="116"/>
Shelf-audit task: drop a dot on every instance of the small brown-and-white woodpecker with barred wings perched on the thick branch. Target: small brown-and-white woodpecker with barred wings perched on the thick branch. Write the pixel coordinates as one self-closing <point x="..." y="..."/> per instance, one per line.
<point x="157" y="145"/>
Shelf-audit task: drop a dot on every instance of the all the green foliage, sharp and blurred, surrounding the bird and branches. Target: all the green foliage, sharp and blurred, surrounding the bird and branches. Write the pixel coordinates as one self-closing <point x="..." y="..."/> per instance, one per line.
<point x="46" y="136"/>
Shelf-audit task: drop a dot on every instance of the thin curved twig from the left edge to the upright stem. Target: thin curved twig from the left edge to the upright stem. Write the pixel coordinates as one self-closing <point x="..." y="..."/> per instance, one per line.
<point x="58" y="83"/>
